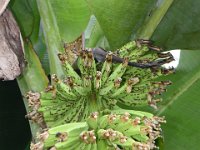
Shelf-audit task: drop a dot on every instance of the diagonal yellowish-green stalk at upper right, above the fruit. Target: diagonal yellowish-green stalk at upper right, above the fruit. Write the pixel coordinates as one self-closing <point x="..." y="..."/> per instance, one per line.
<point x="148" y="28"/>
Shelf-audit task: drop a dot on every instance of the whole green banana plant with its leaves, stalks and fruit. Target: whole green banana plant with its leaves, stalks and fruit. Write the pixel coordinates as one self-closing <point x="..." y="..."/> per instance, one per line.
<point x="99" y="88"/>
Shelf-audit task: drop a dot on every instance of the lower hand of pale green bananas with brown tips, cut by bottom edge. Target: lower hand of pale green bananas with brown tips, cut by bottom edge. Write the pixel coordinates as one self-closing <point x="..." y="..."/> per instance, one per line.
<point x="118" y="129"/>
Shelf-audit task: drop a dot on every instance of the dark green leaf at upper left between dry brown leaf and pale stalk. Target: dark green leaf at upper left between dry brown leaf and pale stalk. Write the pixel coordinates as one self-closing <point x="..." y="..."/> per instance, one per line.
<point x="28" y="18"/>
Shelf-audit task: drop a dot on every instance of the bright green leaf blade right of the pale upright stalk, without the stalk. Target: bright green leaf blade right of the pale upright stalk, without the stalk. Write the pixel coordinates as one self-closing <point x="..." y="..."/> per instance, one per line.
<point x="71" y="17"/>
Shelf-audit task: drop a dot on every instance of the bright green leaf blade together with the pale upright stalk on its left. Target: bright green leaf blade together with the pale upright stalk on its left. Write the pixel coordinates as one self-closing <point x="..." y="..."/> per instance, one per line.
<point x="62" y="21"/>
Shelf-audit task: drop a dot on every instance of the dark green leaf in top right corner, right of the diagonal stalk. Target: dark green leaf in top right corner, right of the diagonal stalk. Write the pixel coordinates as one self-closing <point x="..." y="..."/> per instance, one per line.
<point x="179" y="28"/>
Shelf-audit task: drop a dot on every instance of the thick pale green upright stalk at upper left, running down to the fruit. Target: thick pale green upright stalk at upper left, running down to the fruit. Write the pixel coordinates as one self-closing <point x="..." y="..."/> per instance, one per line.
<point x="52" y="36"/>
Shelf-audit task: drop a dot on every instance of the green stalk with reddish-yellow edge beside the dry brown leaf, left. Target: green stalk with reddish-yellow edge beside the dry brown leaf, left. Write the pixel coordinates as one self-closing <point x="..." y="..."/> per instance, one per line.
<point x="33" y="78"/>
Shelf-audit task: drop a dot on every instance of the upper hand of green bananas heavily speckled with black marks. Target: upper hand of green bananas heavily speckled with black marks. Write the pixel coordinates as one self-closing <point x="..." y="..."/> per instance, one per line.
<point x="94" y="88"/>
